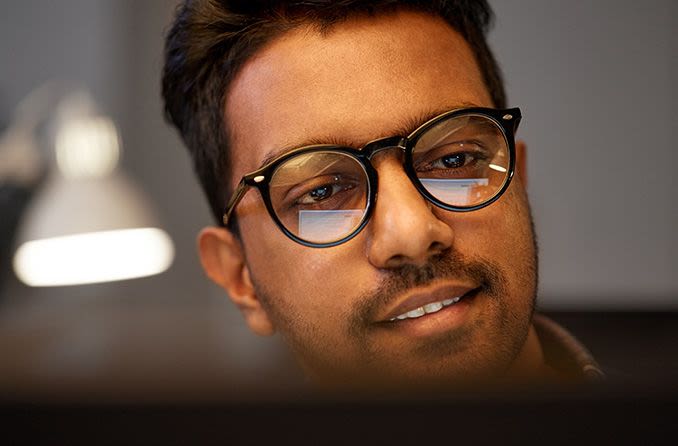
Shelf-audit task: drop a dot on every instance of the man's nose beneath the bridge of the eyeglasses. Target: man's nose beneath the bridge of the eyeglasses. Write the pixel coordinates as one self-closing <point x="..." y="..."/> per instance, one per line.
<point x="404" y="229"/>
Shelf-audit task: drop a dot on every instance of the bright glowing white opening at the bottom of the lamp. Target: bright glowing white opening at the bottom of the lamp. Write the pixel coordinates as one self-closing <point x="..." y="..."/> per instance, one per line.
<point x="94" y="257"/>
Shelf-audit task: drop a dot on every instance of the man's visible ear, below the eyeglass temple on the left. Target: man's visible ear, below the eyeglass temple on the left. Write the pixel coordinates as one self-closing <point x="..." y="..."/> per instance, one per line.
<point x="222" y="259"/>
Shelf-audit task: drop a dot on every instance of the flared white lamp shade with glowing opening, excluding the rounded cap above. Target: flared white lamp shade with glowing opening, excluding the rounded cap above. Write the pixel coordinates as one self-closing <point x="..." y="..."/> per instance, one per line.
<point x="89" y="231"/>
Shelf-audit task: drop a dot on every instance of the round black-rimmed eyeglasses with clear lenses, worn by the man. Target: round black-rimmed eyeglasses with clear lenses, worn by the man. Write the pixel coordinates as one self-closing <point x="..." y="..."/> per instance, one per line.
<point x="324" y="195"/>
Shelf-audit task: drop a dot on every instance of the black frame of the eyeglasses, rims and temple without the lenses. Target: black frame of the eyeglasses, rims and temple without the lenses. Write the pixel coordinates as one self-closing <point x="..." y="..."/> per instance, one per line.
<point x="506" y="119"/>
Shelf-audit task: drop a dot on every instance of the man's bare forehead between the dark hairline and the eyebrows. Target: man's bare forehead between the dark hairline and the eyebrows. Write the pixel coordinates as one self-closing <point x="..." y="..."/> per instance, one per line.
<point x="363" y="79"/>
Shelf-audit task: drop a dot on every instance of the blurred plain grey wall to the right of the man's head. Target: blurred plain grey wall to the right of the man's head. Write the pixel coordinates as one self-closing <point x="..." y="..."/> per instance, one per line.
<point x="596" y="81"/>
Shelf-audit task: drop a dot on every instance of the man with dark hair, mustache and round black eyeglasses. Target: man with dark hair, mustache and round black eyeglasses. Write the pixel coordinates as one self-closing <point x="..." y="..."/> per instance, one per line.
<point x="389" y="238"/>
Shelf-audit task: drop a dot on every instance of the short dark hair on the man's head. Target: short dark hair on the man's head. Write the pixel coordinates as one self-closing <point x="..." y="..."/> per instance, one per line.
<point x="210" y="40"/>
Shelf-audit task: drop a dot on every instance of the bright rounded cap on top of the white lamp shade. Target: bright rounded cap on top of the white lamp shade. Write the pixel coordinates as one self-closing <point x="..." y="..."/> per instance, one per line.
<point x="87" y="147"/>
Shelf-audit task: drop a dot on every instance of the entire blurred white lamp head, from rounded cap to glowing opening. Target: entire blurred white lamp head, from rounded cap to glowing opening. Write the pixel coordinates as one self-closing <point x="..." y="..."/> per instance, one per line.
<point x="89" y="222"/>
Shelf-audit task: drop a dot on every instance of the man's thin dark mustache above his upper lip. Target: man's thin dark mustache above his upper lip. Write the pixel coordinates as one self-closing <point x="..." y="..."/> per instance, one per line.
<point x="449" y="264"/>
